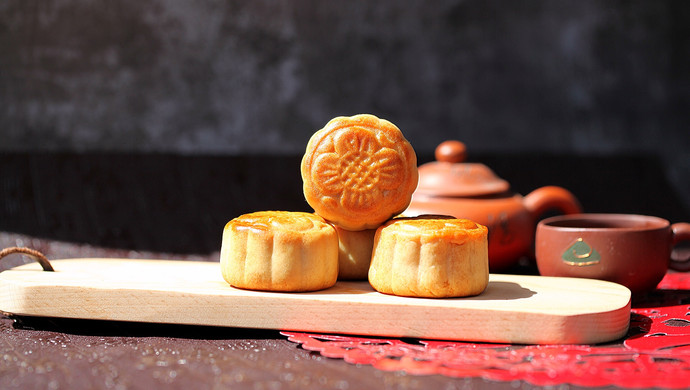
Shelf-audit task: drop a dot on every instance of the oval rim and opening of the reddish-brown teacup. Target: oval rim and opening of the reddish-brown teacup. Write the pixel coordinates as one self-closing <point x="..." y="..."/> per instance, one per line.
<point x="623" y="222"/>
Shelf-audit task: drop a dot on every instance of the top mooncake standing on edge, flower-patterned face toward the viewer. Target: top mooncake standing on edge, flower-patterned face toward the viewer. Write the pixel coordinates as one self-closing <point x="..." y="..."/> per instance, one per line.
<point x="359" y="171"/>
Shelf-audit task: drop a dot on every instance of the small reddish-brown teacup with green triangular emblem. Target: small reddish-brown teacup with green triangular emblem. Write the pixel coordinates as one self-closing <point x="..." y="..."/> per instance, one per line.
<point x="632" y="250"/>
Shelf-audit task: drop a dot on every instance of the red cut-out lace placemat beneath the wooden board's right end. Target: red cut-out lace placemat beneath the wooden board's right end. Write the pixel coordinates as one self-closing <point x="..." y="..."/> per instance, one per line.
<point x="655" y="353"/>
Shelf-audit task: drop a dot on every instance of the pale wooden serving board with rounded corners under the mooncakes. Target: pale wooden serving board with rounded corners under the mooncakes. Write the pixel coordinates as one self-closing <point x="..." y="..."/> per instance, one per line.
<point x="513" y="309"/>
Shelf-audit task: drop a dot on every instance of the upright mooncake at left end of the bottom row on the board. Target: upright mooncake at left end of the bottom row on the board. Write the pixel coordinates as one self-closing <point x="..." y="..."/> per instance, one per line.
<point x="279" y="251"/>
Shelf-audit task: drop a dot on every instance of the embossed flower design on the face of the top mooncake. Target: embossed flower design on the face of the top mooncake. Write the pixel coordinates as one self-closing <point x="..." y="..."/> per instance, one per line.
<point x="359" y="171"/>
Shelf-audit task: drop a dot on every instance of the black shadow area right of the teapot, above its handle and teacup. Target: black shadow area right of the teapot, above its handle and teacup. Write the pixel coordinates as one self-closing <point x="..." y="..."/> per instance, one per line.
<point x="633" y="184"/>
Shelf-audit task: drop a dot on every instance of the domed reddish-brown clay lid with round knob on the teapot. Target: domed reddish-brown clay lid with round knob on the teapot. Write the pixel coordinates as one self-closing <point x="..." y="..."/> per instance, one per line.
<point x="450" y="176"/>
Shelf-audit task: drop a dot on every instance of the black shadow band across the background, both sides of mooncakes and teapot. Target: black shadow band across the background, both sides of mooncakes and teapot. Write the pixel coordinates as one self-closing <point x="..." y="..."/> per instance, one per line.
<point x="180" y="204"/>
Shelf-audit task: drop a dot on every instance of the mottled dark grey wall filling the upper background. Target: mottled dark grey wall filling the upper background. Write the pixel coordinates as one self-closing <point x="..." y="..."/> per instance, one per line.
<point x="213" y="76"/>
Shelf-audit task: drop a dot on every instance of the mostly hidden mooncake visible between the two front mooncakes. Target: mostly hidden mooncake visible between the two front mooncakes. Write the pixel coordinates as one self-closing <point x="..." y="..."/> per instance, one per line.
<point x="354" y="253"/>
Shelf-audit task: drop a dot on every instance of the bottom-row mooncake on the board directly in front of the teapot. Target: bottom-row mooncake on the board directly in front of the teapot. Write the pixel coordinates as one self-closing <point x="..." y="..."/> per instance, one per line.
<point x="430" y="257"/>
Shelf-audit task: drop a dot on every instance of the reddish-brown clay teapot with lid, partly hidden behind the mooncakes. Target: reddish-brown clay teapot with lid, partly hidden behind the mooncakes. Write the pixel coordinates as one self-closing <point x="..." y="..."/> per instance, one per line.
<point x="450" y="186"/>
